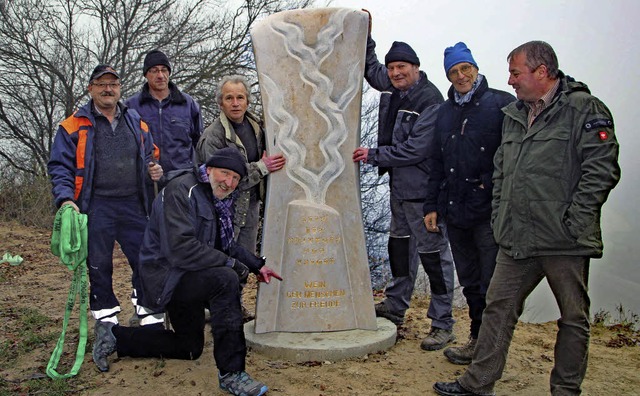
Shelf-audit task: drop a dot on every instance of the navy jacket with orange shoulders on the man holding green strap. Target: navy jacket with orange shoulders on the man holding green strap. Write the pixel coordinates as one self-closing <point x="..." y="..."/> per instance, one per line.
<point x="72" y="162"/>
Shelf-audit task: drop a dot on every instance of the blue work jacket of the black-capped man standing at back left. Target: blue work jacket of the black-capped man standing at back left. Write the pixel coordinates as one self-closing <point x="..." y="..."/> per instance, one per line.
<point x="175" y="123"/>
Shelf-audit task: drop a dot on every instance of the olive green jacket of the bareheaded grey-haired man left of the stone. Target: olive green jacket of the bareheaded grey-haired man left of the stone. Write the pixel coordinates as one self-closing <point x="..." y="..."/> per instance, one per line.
<point x="221" y="134"/>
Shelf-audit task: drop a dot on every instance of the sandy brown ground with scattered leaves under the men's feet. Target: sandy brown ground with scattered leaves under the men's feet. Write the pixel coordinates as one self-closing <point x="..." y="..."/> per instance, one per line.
<point x="40" y="282"/>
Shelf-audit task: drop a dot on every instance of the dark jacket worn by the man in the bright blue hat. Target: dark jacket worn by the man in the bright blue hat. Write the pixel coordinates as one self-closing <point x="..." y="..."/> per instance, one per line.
<point x="461" y="160"/>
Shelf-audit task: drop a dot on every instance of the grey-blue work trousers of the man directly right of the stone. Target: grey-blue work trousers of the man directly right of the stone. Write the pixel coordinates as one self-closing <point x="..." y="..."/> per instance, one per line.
<point x="407" y="220"/>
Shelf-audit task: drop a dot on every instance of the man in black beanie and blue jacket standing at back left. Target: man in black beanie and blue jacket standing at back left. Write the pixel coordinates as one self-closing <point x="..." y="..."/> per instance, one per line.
<point x="173" y="117"/>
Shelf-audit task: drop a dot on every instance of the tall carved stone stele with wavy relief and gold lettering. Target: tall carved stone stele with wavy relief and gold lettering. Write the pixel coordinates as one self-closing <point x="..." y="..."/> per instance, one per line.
<point x="310" y="68"/>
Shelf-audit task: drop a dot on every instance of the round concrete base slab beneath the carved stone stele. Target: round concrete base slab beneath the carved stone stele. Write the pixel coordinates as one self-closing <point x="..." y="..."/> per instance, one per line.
<point x="322" y="346"/>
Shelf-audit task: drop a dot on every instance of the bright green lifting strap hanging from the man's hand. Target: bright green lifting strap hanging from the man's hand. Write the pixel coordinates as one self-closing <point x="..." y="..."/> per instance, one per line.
<point x="69" y="242"/>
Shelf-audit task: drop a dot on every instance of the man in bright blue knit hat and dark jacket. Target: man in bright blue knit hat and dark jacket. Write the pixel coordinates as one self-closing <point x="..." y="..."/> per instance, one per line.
<point x="468" y="133"/>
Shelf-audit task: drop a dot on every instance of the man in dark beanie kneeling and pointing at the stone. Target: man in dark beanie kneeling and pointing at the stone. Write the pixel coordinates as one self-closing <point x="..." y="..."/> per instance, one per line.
<point x="190" y="261"/>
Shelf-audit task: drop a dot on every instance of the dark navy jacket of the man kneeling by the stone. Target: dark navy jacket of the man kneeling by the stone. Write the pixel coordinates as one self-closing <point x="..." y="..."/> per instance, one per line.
<point x="182" y="236"/>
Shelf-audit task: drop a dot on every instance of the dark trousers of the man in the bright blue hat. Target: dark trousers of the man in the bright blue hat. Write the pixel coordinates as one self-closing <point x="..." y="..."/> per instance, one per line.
<point x="474" y="252"/>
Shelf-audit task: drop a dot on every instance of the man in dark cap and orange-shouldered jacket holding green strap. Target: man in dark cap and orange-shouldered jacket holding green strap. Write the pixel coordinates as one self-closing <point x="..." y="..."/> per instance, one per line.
<point x="102" y="164"/>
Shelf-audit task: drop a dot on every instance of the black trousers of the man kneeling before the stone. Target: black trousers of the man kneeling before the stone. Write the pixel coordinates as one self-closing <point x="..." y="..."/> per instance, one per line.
<point x="216" y="288"/>
